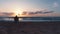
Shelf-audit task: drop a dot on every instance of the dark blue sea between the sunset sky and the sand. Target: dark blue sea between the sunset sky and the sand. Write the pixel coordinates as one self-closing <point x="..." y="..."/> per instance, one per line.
<point x="31" y="19"/>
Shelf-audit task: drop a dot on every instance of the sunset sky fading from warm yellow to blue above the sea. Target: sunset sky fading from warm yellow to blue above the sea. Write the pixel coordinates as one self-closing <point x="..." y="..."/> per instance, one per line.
<point x="14" y="7"/>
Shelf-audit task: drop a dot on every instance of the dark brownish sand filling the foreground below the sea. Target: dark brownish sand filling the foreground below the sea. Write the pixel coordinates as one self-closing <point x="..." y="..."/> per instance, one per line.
<point x="30" y="28"/>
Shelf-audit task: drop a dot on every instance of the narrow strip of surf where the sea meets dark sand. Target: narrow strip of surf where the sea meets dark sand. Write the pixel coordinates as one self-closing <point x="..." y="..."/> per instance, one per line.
<point x="32" y="21"/>
